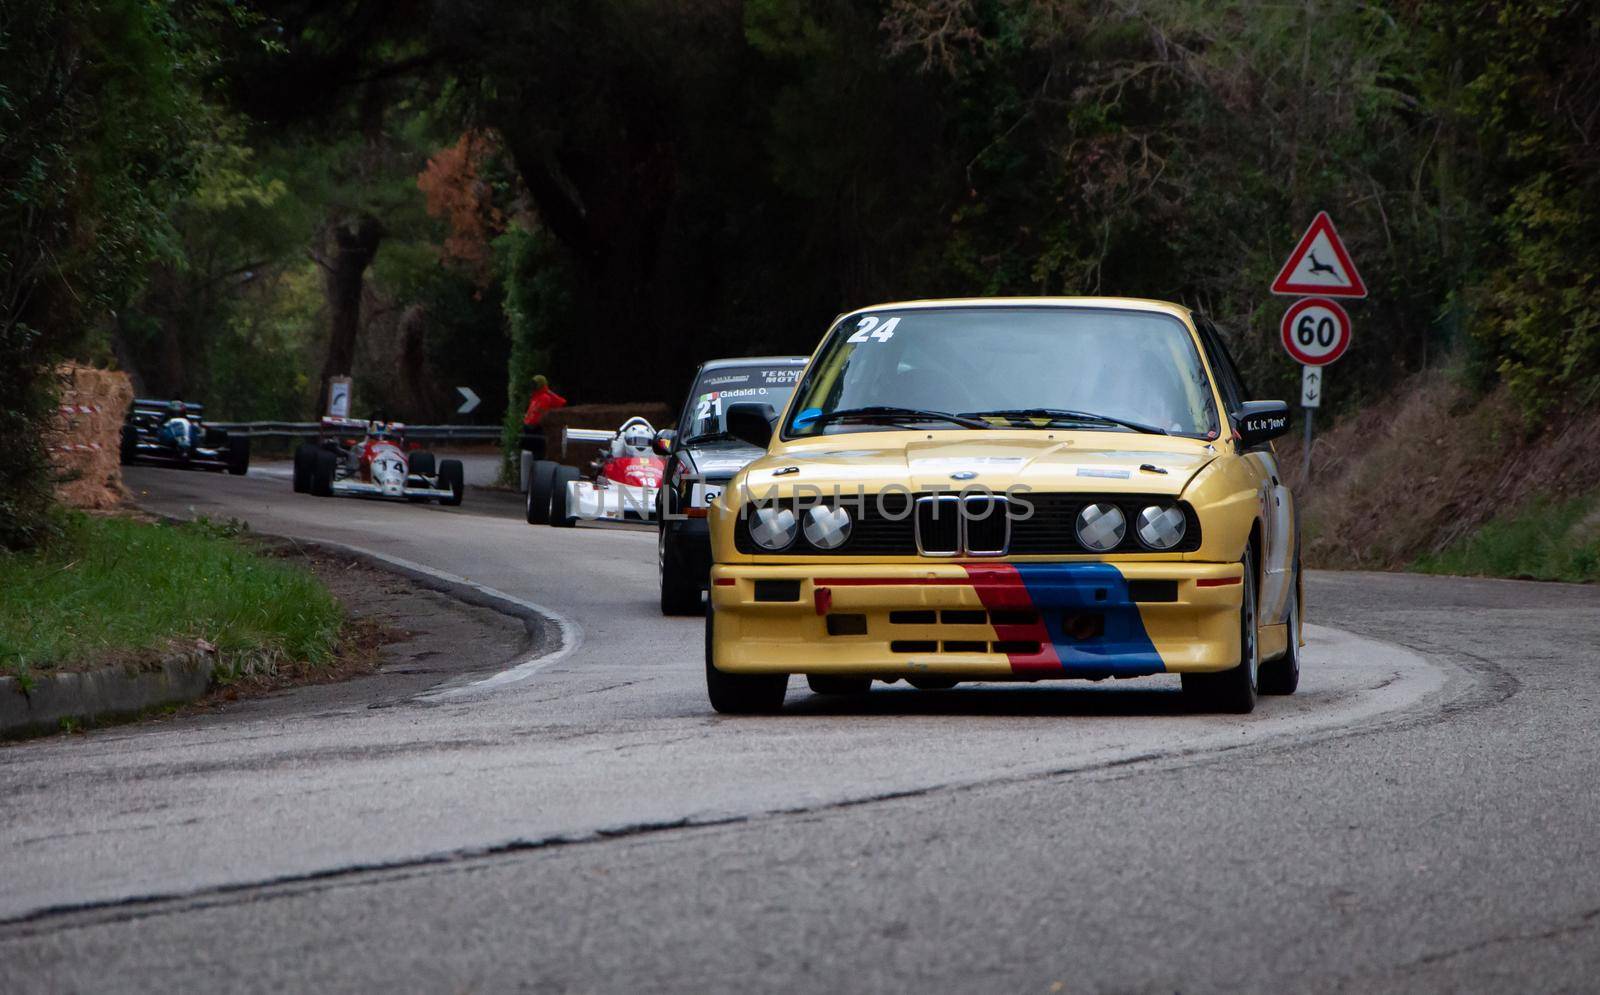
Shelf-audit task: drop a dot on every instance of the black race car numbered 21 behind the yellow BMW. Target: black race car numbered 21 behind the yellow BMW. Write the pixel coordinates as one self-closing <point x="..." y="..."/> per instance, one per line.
<point x="702" y="458"/>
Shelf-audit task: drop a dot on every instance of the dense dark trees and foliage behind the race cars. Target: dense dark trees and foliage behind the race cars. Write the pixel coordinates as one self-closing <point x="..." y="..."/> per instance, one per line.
<point x="610" y="191"/>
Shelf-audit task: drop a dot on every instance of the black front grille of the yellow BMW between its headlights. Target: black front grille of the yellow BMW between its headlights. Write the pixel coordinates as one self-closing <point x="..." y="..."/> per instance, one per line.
<point x="1041" y="525"/>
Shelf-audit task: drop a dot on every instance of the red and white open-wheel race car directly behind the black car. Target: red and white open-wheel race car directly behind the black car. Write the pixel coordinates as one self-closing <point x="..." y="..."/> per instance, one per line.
<point x="623" y="484"/>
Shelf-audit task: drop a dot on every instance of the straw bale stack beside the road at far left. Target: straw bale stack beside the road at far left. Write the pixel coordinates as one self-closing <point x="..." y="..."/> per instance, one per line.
<point x="86" y="442"/>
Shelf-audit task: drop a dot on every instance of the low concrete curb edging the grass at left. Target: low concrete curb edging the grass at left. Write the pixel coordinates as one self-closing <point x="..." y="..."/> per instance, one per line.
<point x="92" y="697"/>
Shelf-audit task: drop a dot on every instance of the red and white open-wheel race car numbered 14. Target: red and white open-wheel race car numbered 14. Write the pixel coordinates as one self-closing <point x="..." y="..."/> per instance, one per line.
<point x="370" y="458"/>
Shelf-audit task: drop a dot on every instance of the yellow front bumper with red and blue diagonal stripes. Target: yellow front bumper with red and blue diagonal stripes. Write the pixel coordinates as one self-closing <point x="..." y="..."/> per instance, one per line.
<point x="978" y="620"/>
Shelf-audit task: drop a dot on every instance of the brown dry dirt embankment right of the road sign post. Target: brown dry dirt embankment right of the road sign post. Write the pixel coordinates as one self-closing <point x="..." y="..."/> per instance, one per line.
<point x="1428" y="468"/>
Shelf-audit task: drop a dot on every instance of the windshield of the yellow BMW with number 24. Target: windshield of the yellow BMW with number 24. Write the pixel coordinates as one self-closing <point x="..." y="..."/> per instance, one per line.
<point x="1012" y="367"/>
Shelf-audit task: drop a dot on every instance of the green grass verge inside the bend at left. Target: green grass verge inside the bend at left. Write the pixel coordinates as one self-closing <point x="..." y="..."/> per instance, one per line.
<point x="126" y="591"/>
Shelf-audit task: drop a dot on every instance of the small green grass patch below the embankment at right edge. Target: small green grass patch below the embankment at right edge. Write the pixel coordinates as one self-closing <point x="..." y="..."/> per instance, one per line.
<point x="1545" y="541"/>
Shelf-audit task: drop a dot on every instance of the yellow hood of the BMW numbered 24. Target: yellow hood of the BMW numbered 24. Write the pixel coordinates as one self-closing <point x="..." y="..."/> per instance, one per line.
<point x="1106" y="463"/>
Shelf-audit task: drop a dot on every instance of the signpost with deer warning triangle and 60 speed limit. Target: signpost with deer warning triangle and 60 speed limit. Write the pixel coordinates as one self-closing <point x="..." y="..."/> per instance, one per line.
<point x="1316" y="330"/>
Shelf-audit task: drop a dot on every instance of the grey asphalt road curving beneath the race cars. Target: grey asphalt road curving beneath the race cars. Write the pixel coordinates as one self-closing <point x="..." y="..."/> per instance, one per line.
<point x="1422" y="817"/>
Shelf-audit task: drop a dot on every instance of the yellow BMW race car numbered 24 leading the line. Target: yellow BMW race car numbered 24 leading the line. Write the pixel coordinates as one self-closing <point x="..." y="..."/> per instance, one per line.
<point x="1009" y="490"/>
